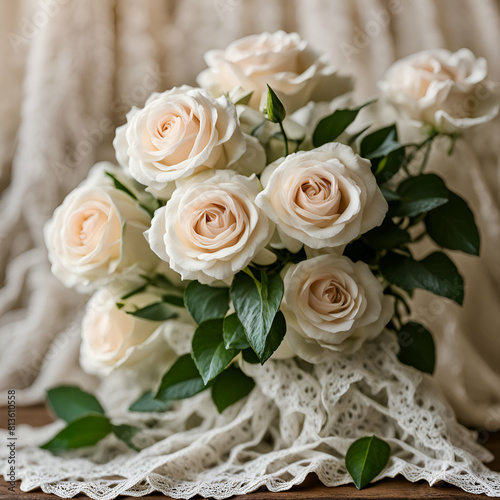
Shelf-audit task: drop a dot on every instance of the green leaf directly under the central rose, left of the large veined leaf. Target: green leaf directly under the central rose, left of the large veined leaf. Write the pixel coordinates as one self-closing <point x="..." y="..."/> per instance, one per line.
<point x="206" y="302"/>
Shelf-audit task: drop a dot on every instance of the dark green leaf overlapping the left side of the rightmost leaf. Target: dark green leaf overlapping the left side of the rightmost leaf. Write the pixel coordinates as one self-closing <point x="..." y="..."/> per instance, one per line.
<point x="420" y="194"/>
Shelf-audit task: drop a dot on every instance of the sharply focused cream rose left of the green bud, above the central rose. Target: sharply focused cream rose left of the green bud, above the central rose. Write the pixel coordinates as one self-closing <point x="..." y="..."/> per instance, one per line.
<point x="179" y="133"/>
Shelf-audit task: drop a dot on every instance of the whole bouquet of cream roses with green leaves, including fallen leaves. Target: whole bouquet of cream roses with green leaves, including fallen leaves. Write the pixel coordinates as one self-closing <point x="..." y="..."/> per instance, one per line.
<point x="258" y="218"/>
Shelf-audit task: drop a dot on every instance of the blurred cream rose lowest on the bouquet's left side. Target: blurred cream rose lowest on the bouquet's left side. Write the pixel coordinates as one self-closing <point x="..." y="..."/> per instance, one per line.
<point x="113" y="339"/>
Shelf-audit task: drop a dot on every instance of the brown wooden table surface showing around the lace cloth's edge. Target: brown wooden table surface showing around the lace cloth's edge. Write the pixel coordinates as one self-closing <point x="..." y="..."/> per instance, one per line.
<point x="387" y="489"/>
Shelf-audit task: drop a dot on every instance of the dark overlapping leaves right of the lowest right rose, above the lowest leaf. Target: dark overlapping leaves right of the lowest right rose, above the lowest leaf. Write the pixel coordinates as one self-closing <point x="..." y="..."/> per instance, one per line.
<point x="436" y="273"/>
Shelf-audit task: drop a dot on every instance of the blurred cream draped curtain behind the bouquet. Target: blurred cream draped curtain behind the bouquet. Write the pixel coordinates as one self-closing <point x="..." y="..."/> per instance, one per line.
<point x="72" y="69"/>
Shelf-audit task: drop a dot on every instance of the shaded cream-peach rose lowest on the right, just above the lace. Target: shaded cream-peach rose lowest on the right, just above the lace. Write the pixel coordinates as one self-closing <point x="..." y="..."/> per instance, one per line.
<point x="332" y="304"/>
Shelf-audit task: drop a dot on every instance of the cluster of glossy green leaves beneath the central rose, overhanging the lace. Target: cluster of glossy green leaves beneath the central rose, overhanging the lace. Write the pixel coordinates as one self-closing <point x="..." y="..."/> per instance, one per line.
<point x="254" y="330"/>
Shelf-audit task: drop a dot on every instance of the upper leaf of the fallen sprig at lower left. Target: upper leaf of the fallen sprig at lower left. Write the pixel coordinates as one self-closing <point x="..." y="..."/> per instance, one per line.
<point x="70" y="403"/>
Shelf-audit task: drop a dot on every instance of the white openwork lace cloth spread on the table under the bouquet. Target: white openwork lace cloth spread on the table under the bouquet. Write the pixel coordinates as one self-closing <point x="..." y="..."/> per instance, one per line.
<point x="300" y="419"/>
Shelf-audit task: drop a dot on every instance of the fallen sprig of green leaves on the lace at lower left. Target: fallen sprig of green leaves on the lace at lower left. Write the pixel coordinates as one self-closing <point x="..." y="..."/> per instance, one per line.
<point x="86" y="421"/>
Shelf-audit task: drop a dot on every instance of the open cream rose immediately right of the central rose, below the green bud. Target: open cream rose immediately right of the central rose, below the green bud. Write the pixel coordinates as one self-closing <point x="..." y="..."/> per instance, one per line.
<point x="322" y="198"/>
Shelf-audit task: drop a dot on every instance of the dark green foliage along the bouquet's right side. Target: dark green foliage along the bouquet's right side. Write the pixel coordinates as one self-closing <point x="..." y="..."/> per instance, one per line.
<point x="420" y="206"/>
